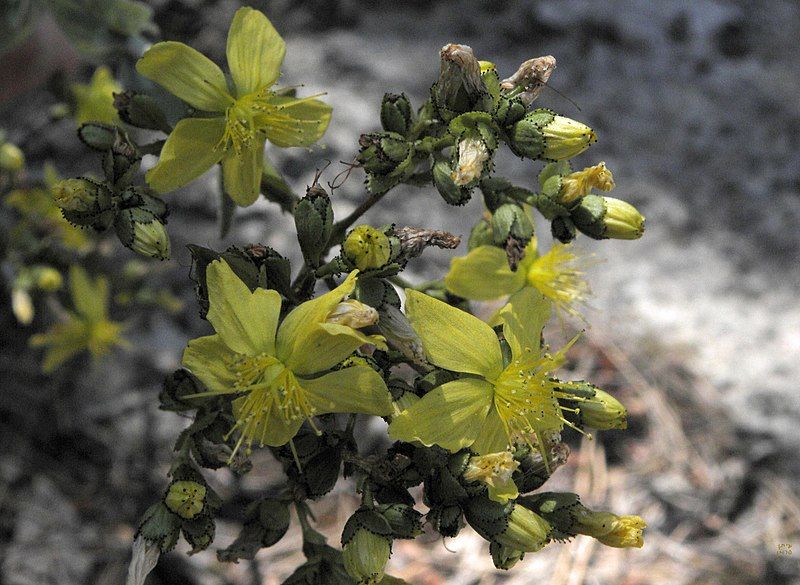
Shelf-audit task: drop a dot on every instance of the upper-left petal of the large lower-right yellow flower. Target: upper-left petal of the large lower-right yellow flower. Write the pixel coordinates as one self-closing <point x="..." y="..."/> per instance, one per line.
<point x="453" y="339"/>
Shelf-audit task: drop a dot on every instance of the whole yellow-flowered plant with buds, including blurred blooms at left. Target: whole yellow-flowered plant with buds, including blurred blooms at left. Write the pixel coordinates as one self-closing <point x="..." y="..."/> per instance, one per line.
<point x="475" y="409"/>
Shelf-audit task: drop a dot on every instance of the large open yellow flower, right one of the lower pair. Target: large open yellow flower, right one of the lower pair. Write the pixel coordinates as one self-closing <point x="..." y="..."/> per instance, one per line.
<point x="495" y="405"/>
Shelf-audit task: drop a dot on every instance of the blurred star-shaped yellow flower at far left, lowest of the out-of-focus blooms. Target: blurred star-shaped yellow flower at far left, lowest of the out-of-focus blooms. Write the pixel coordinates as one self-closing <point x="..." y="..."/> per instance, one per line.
<point x="86" y="329"/>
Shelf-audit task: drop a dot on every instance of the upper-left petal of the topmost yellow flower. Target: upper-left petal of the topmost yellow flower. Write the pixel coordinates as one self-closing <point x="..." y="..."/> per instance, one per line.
<point x="187" y="74"/>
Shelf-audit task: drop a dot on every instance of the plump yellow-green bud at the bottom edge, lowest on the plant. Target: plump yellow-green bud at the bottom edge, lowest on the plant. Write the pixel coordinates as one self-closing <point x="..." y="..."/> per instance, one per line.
<point x="366" y="546"/>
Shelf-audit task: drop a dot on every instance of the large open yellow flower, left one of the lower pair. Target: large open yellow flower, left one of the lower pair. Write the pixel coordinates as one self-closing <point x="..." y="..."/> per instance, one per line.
<point x="281" y="372"/>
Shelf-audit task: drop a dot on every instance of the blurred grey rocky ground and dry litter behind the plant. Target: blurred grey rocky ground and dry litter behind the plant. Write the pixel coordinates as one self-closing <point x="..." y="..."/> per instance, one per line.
<point x="696" y="326"/>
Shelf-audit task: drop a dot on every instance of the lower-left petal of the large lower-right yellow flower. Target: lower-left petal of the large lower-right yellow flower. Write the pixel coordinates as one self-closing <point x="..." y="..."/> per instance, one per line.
<point x="449" y="416"/>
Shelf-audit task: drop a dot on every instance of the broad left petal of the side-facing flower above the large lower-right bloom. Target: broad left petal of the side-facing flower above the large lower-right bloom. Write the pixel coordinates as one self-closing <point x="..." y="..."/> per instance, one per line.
<point x="483" y="275"/>
